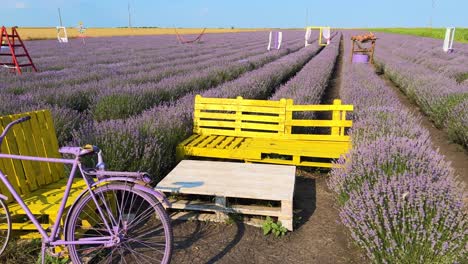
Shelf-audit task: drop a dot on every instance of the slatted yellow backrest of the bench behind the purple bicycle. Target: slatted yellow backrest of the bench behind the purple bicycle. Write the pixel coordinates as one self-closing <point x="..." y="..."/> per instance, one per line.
<point x="35" y="137"/>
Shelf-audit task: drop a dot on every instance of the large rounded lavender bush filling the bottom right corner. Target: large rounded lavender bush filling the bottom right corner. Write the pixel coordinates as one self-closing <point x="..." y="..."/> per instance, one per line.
<point x="408" y="218"/>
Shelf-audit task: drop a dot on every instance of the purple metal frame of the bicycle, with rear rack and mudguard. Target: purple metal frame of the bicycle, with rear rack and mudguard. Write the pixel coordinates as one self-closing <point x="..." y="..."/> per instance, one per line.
<point x="76" y="164"/>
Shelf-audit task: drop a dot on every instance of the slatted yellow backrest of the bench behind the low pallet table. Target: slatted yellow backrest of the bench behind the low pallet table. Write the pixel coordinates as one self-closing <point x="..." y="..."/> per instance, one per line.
<point x="266" y="119"/>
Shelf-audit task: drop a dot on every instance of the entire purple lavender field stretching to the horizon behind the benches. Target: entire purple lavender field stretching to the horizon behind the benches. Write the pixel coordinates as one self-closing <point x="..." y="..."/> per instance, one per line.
<point x="399" y="197"/>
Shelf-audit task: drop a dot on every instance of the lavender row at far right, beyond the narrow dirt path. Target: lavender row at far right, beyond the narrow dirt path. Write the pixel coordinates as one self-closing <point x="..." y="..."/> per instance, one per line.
<point x="431" y="78"/>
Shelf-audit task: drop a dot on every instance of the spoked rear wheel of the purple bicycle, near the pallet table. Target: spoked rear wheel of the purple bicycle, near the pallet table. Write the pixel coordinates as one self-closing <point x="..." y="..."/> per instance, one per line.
<point x="138" y="229"/>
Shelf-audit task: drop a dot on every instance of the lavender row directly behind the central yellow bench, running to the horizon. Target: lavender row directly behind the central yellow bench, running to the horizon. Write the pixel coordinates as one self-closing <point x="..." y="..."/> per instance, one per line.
<point x="148" y="141"/>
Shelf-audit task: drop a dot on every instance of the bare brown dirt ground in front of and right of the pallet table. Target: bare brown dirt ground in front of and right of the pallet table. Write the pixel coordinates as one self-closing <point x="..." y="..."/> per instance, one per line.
<point x="318" y="238"/>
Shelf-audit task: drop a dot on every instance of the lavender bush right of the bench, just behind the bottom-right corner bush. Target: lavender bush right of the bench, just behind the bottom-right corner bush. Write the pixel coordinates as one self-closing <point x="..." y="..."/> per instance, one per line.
<point x="385" y="157"/>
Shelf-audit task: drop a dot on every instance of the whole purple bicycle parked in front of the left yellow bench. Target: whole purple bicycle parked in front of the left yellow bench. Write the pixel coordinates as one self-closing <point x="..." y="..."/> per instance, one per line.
<point x="118" y="218"/>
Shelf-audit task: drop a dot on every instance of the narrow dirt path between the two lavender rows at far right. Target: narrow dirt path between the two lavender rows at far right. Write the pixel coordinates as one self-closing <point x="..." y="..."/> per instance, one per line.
<point x="453" y="152"/>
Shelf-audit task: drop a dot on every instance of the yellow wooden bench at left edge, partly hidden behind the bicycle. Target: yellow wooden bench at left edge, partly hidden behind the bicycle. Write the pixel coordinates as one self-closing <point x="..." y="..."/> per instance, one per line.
<point x="40" y="184"/>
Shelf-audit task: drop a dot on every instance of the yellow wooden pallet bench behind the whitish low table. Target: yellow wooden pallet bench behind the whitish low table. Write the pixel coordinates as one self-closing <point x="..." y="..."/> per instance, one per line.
<point x="266" y="131"/>
